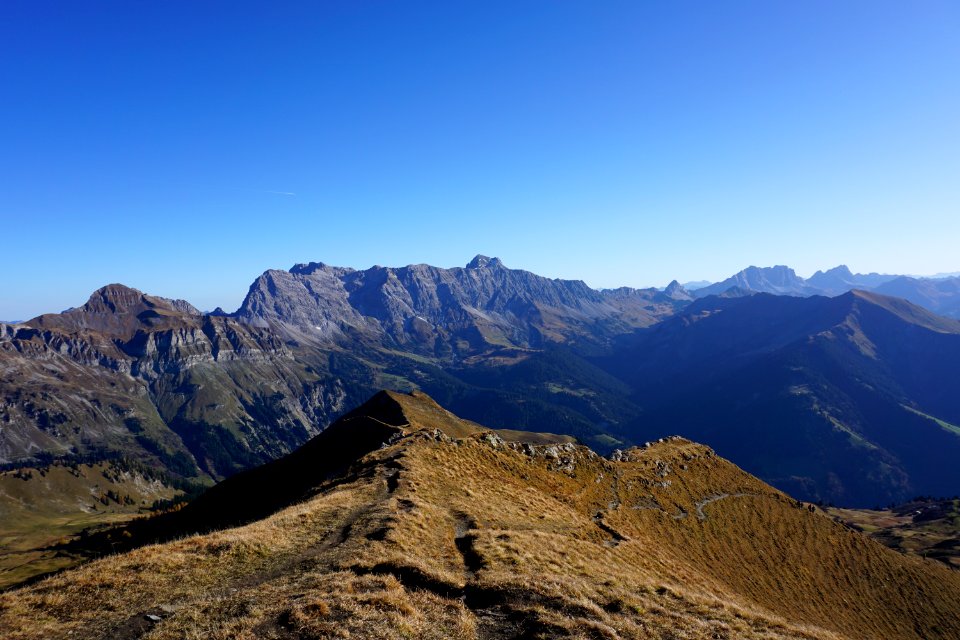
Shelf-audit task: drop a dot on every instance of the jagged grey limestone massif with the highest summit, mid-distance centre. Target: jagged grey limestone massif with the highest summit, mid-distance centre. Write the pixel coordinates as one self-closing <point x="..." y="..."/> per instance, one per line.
<point x="459" y="309"/>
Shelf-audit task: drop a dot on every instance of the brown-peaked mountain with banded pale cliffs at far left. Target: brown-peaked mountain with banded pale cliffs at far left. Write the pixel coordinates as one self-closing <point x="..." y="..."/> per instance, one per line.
<point x="142" y="376"/>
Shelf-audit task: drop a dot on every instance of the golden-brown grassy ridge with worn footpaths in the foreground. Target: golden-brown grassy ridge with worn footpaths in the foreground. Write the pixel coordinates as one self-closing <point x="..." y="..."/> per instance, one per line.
<point x="402" y="520"/>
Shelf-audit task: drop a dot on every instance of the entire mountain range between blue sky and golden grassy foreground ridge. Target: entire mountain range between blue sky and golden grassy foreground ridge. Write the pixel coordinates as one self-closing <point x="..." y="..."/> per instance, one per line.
<point x="837" y="398"/>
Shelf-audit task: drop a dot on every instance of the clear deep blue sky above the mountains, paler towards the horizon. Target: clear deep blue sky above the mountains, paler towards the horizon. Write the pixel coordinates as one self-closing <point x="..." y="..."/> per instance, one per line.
<point x="184" y="147"/>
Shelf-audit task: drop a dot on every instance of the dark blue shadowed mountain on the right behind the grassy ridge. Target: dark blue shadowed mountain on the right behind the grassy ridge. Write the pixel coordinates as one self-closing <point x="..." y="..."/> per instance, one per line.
<point x="850" y="399"/>
